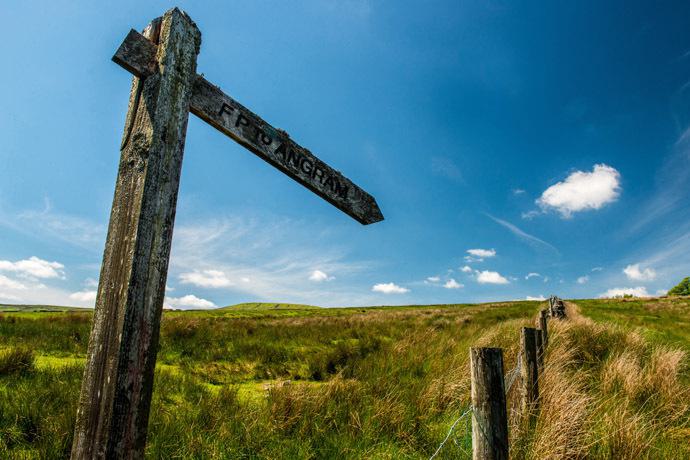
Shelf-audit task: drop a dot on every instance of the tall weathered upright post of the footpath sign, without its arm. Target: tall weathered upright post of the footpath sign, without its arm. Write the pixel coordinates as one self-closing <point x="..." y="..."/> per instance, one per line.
<point x="115" y="398"/>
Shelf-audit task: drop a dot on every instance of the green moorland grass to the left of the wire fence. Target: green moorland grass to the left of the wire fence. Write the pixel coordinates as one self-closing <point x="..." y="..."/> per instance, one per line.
<point x="256" y="381"/>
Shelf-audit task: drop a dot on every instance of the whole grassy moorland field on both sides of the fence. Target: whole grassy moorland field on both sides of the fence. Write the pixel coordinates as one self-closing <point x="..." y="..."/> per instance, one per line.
<point x="295" y="381"/>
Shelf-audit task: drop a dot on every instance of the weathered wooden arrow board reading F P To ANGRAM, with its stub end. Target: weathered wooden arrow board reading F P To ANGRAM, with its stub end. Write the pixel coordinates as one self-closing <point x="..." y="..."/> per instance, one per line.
<point x="271" y="144"/>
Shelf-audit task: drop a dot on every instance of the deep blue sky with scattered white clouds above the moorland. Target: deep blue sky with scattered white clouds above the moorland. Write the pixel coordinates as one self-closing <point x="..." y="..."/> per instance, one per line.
<point x="516" y="149"/>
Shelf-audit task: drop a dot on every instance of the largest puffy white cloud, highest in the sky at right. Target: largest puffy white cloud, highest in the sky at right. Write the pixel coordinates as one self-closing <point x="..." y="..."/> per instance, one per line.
<point x="582" y="191"/>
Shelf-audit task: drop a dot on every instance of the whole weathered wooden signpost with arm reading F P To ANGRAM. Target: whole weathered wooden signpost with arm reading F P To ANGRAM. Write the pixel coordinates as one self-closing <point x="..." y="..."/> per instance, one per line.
<point x="115" y="398"/>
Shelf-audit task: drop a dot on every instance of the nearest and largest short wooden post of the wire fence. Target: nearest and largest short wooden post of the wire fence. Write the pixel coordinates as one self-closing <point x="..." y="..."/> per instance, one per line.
<point x="489" y="413"/>
